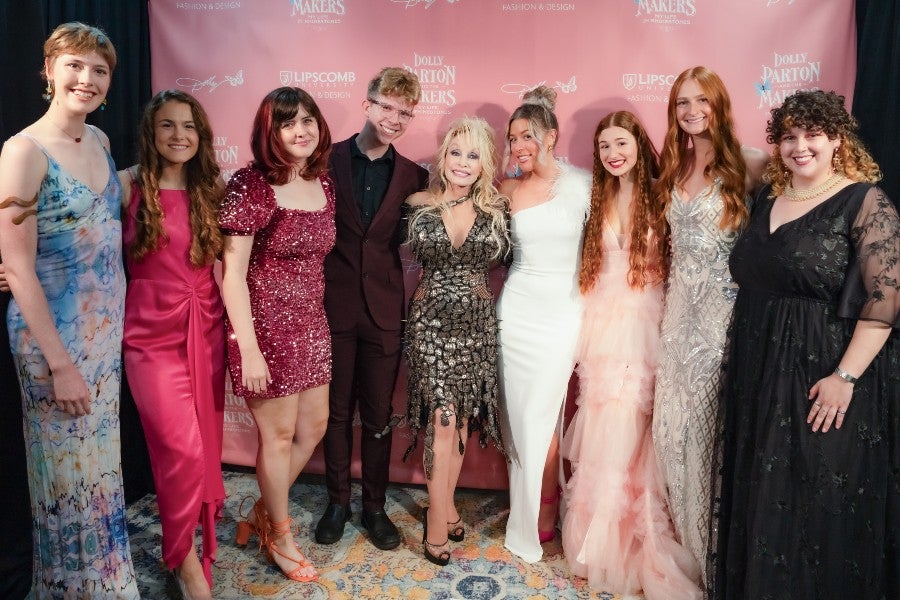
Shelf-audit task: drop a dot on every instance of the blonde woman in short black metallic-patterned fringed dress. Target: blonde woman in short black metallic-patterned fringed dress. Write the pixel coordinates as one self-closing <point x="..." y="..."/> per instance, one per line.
<point x="456" y="231"/>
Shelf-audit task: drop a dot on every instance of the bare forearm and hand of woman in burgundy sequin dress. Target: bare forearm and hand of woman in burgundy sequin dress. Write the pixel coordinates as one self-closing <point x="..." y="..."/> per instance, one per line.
<point x="236" y="295"/>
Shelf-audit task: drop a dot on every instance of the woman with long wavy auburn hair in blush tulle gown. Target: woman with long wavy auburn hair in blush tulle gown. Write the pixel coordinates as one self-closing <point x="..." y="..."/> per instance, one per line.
<point x="616" y="530"/>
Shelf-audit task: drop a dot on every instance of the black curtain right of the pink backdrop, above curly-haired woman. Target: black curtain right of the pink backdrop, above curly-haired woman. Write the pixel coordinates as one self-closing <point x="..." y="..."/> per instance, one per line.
<point x="876" y="97"/>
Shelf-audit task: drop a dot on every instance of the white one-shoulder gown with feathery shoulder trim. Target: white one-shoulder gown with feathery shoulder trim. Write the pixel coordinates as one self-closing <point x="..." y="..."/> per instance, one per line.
<point x="540" y="317"/>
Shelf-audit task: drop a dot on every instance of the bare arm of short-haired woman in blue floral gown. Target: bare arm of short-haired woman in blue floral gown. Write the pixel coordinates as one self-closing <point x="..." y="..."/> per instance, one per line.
<point x="22" y="168"/>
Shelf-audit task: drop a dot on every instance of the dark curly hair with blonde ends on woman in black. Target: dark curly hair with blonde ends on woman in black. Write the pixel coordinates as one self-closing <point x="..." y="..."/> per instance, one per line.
<point x="819" y="111"/>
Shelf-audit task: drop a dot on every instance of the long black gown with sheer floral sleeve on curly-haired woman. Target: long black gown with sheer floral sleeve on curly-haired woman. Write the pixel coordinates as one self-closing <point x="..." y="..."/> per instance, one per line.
<point x="812" y="515"/>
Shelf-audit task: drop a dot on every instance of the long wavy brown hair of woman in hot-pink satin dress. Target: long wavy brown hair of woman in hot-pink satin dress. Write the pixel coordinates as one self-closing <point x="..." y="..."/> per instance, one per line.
<point x="204" y="186"/>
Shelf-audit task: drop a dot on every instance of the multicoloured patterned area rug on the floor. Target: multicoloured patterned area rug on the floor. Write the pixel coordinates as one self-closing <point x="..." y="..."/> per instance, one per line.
<point x="480" y="569"/>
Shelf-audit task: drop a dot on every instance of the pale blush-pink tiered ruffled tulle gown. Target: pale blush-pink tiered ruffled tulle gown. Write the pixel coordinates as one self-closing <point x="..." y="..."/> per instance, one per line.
<point x="616" y="531"/>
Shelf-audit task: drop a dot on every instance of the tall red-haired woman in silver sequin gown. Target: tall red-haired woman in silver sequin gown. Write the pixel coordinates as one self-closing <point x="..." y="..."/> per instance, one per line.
<point x="705" y="192"/>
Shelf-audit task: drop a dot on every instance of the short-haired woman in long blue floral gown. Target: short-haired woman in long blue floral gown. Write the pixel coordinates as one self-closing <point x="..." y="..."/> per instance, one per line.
<point x="60" y="238"/>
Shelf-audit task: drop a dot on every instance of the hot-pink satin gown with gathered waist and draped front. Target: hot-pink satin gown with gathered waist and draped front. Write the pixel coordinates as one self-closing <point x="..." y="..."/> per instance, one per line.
<point x="174" y="350"/>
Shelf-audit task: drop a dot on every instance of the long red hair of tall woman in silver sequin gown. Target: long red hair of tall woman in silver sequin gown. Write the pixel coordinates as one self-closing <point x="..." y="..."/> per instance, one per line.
<point x="727" y="162"/>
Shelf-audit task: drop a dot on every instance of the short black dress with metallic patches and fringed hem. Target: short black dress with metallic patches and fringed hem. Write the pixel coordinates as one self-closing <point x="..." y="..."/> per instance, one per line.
<point x="451" y="333"/>
